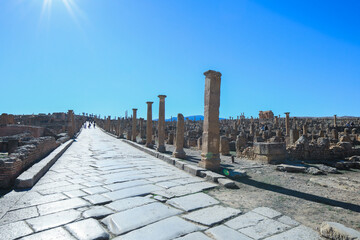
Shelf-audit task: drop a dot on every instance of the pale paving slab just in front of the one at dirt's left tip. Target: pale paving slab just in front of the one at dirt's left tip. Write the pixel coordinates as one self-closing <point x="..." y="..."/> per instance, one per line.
<point x="212" y="215"/>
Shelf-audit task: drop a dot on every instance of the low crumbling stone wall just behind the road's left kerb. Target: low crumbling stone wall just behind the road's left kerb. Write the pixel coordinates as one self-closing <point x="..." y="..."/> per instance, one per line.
<point x="23" y="157"/>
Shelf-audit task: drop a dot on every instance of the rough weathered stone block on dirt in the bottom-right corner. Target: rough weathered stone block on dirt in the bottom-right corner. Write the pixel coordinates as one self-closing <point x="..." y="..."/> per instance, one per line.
<point x="338" y="231"/>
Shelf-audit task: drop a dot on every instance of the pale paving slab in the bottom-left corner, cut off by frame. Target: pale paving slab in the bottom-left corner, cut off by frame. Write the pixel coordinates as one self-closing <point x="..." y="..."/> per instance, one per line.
<point x="14" y="230"/>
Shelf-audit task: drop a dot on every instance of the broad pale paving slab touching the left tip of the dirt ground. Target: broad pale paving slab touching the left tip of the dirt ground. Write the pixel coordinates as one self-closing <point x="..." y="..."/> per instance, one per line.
<point x="193" y="201"/>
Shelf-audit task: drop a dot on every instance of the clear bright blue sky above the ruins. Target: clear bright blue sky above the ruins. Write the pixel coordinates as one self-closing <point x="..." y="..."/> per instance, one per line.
<point x="109" y="56"/>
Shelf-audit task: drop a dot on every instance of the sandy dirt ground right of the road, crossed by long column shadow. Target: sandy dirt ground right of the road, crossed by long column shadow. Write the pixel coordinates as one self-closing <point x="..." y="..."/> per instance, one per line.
<point x="307" y="198"/>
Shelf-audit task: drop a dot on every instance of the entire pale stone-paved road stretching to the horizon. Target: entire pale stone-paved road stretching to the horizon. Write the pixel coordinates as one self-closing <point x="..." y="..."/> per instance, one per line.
<point x="102" y="188"/>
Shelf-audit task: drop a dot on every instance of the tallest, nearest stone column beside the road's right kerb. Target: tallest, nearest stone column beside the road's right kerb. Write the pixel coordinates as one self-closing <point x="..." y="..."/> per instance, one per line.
<point x="210" y="157"/>
